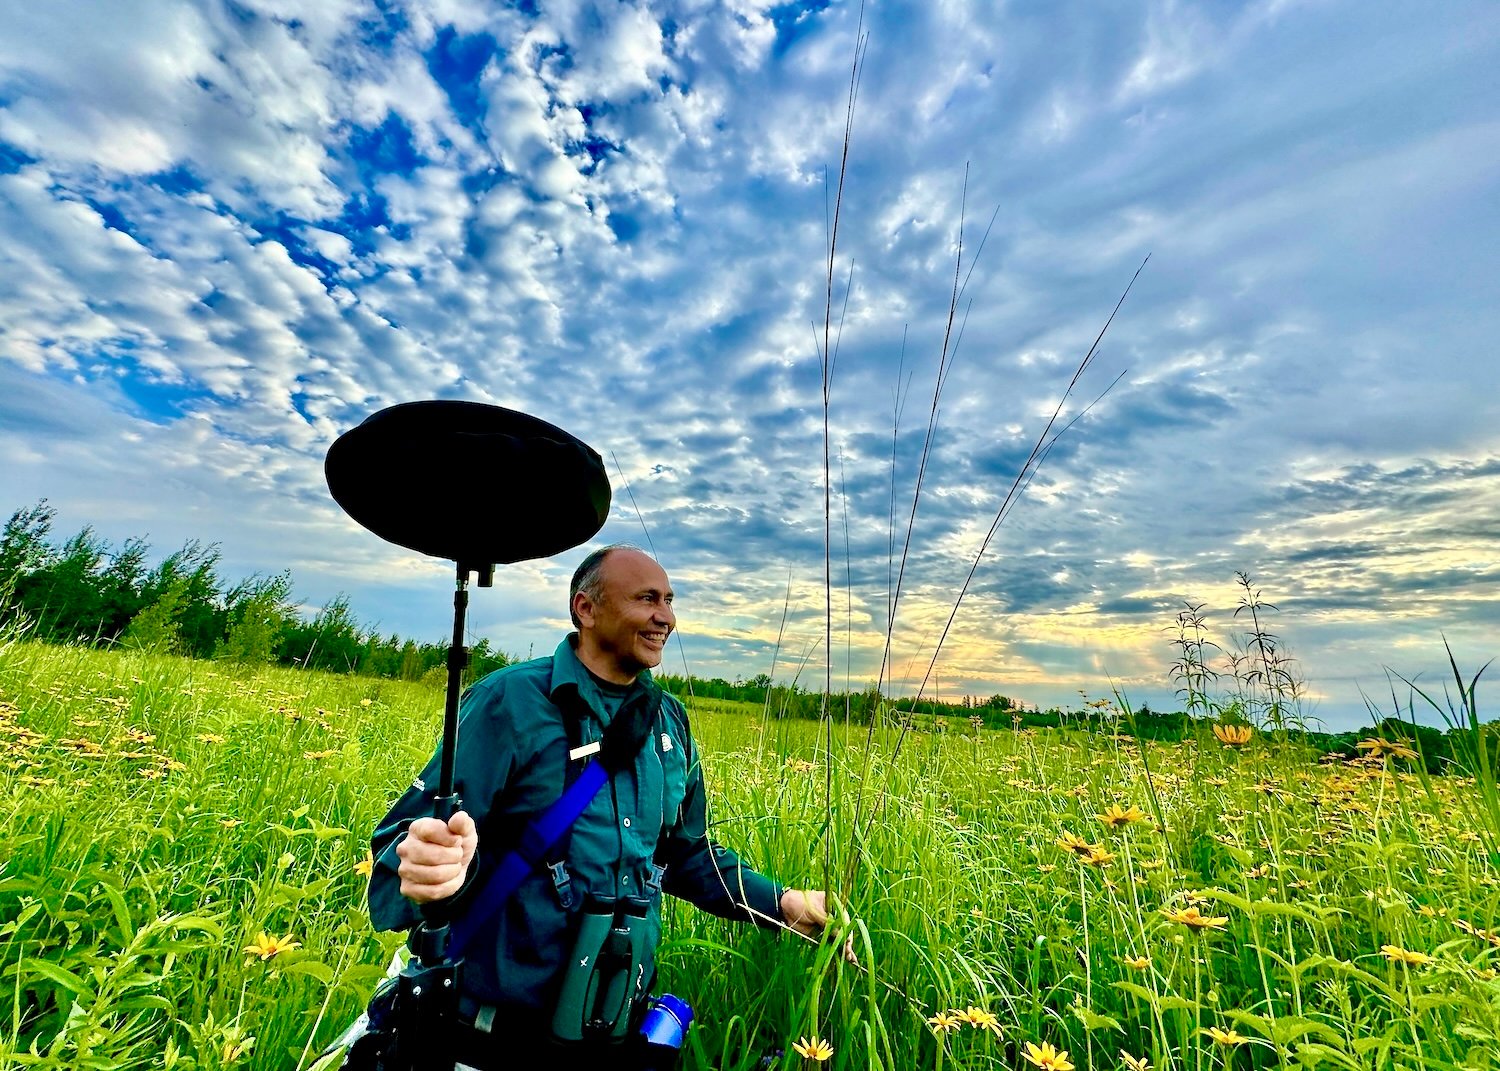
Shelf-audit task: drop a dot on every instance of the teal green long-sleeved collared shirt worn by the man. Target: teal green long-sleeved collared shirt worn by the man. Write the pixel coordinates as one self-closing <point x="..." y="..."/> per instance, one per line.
<point x="511" y="767"/>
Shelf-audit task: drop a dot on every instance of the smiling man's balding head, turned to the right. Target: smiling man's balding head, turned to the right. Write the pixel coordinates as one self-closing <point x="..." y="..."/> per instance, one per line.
<point x="626" y="629"/>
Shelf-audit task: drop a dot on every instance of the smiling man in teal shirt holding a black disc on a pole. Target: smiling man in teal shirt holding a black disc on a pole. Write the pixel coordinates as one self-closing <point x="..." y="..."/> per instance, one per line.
<point x="644" y="833"/>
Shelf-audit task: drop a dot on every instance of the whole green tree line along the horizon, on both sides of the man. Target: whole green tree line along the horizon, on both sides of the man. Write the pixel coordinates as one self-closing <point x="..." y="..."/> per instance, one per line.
<point x="86" y="592"/>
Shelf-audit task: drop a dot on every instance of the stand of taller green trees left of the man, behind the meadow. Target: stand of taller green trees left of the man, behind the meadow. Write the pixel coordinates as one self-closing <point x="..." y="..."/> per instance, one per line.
<point x="88" y="592"/>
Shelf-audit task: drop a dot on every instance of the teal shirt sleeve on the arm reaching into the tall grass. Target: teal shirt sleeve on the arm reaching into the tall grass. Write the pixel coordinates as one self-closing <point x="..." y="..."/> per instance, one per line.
<point x="707" y="874"/>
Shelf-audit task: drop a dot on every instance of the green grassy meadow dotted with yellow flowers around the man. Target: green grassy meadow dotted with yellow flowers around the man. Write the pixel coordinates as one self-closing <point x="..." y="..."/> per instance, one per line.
<point x="184" y="866"/>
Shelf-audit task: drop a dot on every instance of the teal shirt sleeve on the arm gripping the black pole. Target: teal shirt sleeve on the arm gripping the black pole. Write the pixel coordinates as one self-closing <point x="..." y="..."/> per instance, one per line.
<point x="481" y="770"/>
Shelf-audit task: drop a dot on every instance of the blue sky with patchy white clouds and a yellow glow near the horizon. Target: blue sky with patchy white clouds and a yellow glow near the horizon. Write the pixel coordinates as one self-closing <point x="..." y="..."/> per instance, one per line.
<point x="232" y="232"/>
